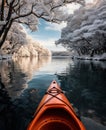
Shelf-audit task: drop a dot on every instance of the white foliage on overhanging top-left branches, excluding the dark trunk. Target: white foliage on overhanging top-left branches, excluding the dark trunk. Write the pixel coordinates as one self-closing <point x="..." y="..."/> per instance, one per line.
<point x="47" y="9"/>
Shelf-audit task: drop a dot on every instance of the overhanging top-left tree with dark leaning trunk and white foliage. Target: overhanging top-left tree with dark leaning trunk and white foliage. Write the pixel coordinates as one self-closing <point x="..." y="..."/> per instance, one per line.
<point x="27" y="12"/>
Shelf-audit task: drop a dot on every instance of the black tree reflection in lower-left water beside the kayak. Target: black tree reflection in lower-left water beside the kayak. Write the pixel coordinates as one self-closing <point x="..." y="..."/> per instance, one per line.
<point x="16" y="114"/>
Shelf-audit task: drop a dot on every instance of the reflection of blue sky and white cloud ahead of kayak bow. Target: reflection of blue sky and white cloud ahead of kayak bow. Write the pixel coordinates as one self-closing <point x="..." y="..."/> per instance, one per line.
<point x="47" y="73"/>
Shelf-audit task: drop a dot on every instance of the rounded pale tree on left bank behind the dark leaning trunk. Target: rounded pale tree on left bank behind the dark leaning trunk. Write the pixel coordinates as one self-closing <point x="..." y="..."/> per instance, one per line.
<point x="15" y="39"/>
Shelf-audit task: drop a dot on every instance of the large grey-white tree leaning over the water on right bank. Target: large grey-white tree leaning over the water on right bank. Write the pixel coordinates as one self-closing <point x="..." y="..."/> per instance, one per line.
<point x="86" y="30"/>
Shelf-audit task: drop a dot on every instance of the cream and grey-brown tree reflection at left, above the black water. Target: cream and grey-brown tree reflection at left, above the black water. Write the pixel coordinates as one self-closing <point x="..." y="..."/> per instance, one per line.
<point x="15" y="74"/>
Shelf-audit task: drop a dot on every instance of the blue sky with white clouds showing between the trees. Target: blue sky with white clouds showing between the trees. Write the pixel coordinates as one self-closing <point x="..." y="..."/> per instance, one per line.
<point x="48" y="33"/>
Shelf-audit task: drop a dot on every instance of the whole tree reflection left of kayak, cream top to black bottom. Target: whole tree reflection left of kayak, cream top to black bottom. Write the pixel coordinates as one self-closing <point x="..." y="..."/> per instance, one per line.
<point x="17" y="109"/>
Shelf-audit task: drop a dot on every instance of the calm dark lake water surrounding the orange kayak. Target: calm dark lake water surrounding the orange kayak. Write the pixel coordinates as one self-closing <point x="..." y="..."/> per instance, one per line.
<point x="23" y="83"/>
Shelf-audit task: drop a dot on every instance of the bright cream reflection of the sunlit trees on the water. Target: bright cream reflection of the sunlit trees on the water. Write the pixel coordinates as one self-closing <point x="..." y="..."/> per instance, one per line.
<point x="30" y="65"/>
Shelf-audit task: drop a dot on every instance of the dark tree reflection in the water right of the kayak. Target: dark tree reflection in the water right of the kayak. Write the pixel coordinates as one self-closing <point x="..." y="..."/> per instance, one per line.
<point x="85" y="86"/>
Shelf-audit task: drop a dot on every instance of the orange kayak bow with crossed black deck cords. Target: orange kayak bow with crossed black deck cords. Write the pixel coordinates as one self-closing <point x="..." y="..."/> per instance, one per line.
<point x="55" y="112"/>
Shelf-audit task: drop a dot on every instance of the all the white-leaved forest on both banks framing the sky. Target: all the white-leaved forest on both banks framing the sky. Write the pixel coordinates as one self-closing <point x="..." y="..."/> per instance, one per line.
<point x="84" y="35"/>
